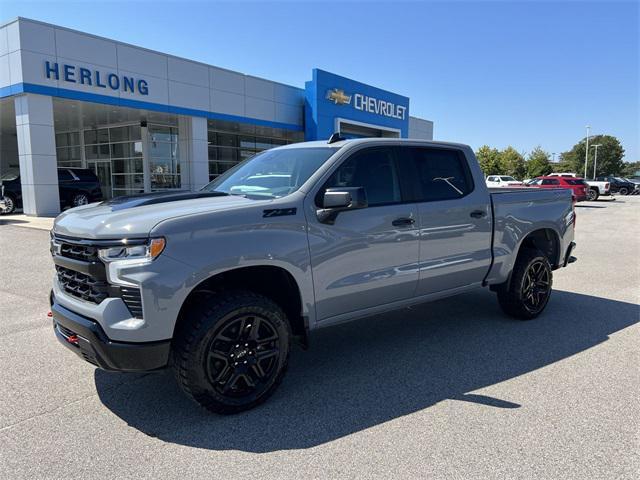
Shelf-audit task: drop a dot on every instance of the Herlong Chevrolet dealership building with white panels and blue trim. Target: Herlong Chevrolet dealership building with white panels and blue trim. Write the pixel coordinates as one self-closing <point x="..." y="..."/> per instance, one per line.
<point x="146" y="121"/>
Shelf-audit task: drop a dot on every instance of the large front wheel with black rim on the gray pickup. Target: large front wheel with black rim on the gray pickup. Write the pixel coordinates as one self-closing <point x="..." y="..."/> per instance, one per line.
<point x="232" y="352"/>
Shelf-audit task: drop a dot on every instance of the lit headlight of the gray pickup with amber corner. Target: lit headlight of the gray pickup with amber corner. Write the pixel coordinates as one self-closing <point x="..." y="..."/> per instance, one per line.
<point x="118" y="259"/>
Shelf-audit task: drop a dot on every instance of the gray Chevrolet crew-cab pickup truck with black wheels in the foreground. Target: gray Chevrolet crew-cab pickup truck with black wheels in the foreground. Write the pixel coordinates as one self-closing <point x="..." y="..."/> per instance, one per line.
<point x="218" y="283"/>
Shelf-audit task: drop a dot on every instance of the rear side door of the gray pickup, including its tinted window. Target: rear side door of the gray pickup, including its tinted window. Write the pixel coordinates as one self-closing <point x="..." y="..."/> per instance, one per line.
<point x="455" y="222"/>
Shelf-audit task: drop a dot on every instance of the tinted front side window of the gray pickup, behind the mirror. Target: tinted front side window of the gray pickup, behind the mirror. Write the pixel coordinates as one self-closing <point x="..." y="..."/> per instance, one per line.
<point x="375" y="170"/>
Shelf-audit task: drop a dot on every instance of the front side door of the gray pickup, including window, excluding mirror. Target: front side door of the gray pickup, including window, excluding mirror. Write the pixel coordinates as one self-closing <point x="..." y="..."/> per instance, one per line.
<point x="369" y="256"/>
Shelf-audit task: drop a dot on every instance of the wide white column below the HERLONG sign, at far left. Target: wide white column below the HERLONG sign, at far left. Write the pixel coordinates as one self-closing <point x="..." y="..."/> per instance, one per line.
<point x="37" y="154"/>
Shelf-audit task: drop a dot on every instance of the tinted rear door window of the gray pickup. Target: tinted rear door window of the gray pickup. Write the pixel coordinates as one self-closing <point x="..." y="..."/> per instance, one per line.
<point x="442" y="174"/>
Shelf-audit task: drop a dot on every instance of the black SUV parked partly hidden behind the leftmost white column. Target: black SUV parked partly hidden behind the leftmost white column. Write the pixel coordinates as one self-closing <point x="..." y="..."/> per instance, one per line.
<point x="77" y="186"/>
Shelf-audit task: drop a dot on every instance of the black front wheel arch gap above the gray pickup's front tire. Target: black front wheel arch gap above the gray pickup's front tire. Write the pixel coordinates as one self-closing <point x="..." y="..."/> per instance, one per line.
<point x="272" y="281"/>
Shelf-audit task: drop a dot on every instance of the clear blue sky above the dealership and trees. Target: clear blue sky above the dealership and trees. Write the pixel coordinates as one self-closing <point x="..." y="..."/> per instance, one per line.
<point x="500" y="73"/>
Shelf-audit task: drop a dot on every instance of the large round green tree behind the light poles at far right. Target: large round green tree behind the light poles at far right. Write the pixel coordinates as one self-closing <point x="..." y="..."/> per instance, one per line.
<point x="610" y="154"/>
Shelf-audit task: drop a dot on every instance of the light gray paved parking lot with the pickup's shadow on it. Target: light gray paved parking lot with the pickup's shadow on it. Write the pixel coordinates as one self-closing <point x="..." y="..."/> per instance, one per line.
<point x="452" y="389"/>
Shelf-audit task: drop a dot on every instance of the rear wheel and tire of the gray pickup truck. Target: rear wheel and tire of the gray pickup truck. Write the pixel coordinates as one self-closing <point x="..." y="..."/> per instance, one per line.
<point x="530" y="288"/>
